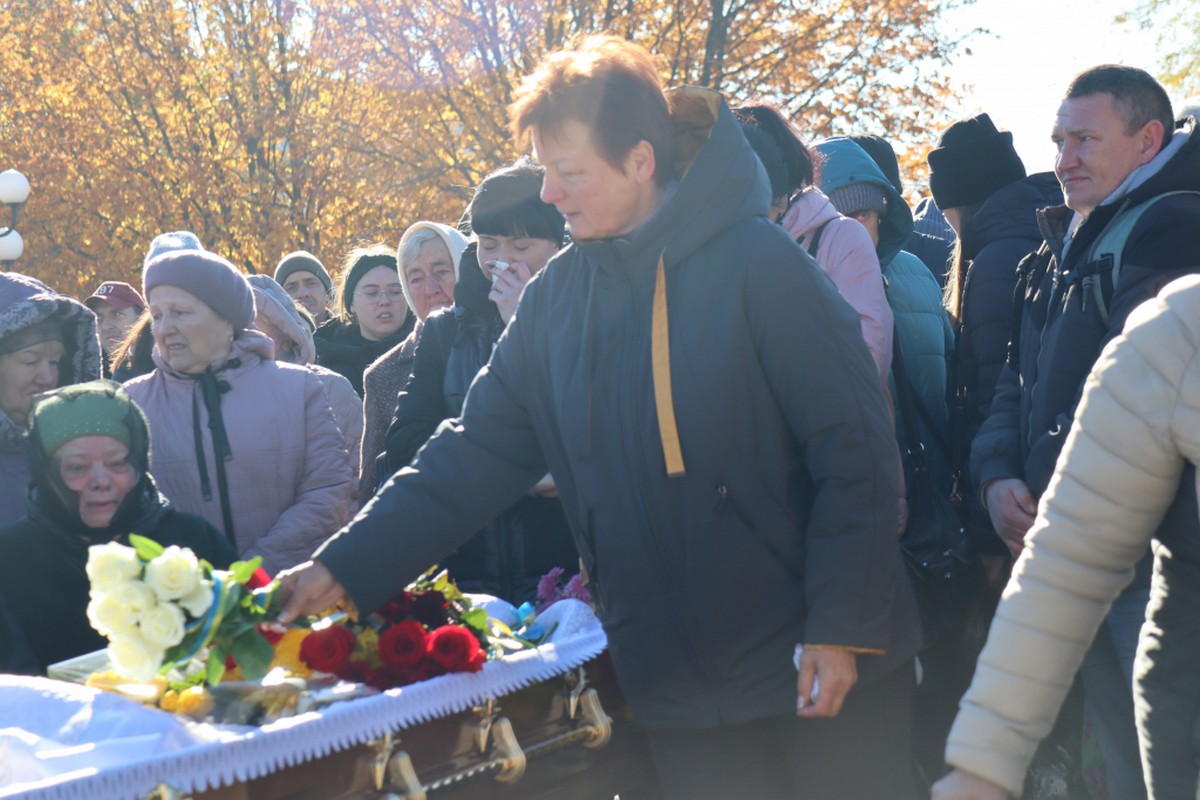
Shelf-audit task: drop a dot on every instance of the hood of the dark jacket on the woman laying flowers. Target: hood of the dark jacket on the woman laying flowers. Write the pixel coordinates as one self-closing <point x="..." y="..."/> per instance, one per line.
<point x="719" y="182"/>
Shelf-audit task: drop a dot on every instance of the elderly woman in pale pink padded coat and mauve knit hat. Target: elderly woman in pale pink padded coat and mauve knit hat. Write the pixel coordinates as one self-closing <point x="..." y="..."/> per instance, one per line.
<point x="241" y="440"/>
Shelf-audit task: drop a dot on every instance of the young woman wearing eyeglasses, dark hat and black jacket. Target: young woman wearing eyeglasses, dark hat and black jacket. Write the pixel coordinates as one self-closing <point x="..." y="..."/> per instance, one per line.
<point x="373" y="315"/>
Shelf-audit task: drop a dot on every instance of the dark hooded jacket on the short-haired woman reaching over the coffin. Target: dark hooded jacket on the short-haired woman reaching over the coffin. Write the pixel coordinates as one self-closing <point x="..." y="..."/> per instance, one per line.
<point x="783" y="528"/>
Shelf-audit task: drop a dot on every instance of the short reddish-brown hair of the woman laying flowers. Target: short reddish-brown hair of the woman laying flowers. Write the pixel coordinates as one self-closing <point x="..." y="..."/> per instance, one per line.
<point x="610" y="86"/>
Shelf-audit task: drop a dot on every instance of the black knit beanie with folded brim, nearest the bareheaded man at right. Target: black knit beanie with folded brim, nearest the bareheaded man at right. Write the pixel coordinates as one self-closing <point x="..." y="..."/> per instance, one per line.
<point x="973" y="160"/>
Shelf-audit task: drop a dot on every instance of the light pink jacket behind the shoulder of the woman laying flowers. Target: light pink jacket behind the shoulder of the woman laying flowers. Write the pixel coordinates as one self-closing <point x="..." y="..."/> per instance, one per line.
<point x="848" y="256"/>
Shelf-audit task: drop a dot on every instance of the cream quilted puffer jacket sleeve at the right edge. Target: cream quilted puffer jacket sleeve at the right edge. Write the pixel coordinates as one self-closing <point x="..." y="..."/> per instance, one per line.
<point x="1136" y="430"/>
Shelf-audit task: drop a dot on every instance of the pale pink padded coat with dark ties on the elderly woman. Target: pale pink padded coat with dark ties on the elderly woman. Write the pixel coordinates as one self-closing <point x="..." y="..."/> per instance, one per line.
<point x="291" y="484"/>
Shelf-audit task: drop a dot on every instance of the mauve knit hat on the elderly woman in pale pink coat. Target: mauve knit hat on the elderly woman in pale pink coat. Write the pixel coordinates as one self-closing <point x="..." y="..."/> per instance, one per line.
<point x="212" y="279"/>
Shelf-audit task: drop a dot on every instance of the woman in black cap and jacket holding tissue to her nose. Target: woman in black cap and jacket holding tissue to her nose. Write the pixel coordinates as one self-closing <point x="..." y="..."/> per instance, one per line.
<point x="513" y="236"/>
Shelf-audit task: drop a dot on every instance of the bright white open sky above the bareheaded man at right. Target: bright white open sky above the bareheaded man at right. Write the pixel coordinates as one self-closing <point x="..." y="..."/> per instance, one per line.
<point x="1019" y="74"/>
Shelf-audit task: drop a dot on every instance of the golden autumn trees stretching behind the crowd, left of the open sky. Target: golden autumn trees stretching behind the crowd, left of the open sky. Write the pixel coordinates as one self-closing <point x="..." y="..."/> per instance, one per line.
<point x="265" y="127"/>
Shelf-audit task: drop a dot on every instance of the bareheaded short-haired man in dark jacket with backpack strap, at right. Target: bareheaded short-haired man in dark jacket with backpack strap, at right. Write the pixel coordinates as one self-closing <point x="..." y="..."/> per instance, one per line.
<point x="1117" y="151"/>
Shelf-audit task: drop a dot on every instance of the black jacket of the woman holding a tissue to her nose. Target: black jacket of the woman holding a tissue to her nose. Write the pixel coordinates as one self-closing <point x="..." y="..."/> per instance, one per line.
<point x="530" y="539"/>
